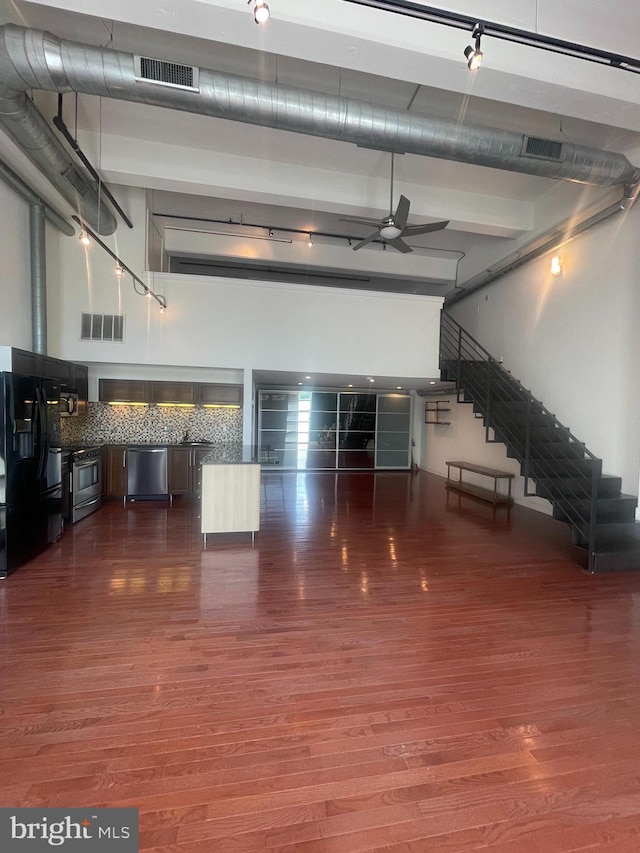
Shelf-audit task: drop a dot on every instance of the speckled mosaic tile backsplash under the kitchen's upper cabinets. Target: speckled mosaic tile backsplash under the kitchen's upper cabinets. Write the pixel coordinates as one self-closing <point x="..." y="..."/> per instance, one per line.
<point x="104" y="424"/>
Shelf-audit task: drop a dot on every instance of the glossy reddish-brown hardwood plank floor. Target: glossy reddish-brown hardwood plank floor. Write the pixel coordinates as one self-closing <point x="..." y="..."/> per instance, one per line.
<point x="386" y="669"/>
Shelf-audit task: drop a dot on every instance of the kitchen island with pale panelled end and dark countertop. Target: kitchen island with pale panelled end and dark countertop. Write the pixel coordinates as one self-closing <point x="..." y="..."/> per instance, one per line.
<point x="230" y="493"/>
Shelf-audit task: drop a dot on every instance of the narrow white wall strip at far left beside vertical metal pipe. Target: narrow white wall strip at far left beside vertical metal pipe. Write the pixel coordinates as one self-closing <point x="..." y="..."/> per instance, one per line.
<point x="15" y="283"/>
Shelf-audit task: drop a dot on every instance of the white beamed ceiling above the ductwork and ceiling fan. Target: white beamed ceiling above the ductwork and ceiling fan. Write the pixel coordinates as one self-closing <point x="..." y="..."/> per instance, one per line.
<point x="198" y="168"/>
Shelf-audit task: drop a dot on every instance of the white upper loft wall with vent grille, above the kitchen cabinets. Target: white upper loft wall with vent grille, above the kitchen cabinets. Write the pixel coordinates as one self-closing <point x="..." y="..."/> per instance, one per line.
<point x="231" y="324"/>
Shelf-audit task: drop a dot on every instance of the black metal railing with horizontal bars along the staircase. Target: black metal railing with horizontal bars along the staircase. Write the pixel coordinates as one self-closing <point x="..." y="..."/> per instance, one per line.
<point x="500" y="397"/>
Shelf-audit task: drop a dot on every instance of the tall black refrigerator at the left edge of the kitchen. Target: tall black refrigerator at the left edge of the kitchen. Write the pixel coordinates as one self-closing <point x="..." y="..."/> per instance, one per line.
<point x="30" y="468"/>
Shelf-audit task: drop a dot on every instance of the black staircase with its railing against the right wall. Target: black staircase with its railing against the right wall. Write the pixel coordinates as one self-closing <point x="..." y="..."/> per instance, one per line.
<point x="554" y="464"/>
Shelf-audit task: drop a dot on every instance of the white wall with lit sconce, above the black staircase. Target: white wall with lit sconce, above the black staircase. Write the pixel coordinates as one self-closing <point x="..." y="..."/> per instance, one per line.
<point x="573" y="341"/>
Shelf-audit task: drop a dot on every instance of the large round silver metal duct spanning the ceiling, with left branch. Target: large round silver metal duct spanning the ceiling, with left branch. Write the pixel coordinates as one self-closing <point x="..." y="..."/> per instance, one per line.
<point x="32" y="59"/>
